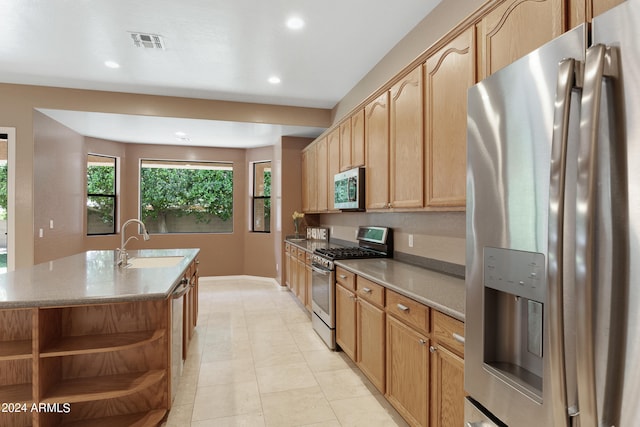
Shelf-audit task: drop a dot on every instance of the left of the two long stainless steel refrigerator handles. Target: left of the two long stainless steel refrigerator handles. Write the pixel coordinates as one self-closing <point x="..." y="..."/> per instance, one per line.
<point x="566" y="76"/>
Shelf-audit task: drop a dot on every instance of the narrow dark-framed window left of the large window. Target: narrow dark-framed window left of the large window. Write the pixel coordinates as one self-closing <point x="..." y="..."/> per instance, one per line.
<point x="101" y="194"/>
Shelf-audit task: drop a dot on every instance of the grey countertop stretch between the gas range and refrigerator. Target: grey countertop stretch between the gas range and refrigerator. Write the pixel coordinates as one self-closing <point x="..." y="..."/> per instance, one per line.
<point x="443" y="292"/>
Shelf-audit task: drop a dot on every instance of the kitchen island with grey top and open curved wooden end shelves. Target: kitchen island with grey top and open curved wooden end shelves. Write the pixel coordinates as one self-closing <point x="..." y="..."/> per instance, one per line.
<point x="85" y="341"/>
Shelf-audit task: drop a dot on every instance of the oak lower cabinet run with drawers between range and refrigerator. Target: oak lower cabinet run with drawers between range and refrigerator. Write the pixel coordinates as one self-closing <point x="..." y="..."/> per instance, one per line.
<point x="411" y="353"/>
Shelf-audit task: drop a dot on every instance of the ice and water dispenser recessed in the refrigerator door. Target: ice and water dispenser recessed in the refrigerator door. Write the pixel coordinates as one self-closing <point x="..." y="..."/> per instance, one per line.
<point x="514" y="295"/>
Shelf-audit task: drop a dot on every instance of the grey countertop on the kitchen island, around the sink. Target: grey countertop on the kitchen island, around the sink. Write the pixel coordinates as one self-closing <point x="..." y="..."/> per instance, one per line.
<point x="92" y="278"/>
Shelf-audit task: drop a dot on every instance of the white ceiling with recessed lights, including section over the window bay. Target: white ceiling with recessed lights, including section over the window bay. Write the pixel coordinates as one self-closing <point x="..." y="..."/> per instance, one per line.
<point x="212" y="49"/>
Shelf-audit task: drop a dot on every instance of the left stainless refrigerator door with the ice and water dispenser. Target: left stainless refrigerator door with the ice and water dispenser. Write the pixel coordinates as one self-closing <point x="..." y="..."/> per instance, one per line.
<point x="508" y="363"/>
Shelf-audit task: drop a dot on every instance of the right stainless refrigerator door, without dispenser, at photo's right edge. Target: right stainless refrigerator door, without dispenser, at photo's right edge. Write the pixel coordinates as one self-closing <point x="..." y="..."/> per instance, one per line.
<point x="608" y="202"/>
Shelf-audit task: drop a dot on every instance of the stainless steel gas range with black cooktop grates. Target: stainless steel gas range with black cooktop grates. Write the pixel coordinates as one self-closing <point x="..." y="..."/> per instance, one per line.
<point x="373" y="242"/>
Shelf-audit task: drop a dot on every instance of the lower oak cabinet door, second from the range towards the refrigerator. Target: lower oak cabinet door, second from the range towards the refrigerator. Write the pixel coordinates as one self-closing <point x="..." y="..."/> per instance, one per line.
<point x="371" y="343"/>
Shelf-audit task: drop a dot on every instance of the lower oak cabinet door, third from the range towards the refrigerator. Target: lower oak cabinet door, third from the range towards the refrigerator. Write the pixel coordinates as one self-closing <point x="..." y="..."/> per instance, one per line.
<point x="408" y="372"/>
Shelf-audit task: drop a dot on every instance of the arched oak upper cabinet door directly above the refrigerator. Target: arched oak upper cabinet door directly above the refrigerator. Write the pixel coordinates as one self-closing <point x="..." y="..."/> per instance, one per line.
<point x="515" y="28"/>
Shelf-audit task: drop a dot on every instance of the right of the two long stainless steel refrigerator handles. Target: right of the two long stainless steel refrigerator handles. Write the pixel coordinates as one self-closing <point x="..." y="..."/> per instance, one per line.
<point x="600" y="62"/>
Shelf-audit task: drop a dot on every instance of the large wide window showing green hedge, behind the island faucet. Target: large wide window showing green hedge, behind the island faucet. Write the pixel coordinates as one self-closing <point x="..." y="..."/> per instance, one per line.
<point x="186" y="197"/>
